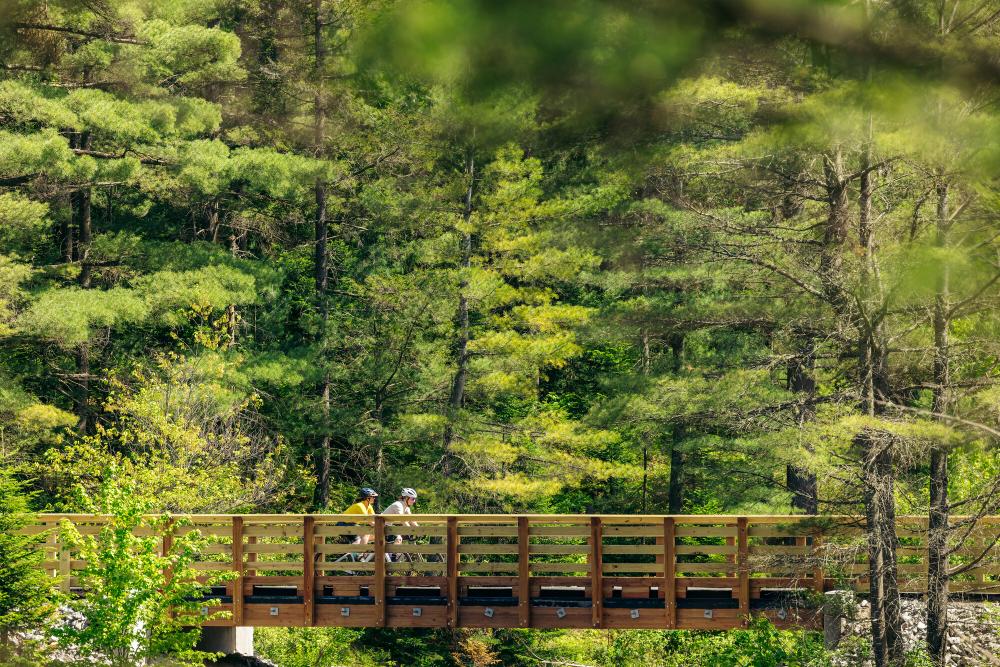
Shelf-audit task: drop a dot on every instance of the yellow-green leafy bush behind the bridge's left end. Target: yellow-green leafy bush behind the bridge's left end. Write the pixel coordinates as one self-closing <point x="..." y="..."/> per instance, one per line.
<point x="183" y="432"/>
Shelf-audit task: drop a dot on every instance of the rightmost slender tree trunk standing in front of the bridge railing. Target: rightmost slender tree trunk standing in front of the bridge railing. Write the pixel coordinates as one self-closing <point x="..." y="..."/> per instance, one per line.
<point x="937" y="536"/>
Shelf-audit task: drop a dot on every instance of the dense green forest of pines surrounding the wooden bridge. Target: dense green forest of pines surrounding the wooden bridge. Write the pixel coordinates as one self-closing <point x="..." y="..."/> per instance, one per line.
<point x="687" y="257"/>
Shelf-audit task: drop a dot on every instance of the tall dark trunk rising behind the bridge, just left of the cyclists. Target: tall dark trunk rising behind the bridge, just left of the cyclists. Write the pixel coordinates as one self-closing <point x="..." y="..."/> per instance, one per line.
<point x="321" y="262"/>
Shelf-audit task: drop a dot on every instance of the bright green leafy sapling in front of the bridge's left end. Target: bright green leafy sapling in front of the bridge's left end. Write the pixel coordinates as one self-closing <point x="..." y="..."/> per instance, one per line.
<point x="139" y="603"/>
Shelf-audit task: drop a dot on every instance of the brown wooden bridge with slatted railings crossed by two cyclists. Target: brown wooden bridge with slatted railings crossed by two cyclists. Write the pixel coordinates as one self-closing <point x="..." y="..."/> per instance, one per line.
<point x="539" y="571"/>
